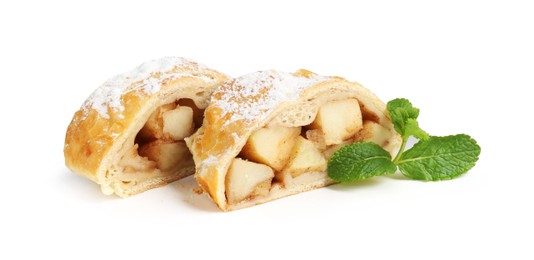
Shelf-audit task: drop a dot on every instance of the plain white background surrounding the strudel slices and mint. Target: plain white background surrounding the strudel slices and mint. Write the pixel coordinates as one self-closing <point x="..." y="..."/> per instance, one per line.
<point x="466" y="64"/>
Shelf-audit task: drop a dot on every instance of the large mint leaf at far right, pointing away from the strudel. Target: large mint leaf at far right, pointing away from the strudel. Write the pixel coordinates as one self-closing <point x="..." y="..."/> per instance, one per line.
<point x="439" y="158"/>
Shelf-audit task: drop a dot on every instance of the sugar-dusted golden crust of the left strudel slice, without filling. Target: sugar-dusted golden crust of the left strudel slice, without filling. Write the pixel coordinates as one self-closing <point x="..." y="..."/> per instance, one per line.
<point x="109" y="121"/>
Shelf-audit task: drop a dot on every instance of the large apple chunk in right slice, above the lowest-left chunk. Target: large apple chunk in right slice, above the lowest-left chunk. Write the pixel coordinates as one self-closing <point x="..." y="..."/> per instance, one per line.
<point x="271" y="146"/>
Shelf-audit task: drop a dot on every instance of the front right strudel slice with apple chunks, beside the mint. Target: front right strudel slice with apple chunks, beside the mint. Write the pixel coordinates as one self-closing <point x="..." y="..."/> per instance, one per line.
<point x="269" y="134"/>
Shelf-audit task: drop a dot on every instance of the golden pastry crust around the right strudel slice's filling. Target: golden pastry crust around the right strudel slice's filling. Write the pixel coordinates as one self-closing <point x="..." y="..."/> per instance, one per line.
<point x="241" y="106"/>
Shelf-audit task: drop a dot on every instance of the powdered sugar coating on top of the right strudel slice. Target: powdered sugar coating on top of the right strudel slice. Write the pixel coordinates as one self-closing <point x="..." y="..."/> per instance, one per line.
<point x="254" y="95"/>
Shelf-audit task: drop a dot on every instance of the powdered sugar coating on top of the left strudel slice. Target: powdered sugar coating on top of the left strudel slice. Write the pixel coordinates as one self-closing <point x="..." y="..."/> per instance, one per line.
<point x="108" y="96"/>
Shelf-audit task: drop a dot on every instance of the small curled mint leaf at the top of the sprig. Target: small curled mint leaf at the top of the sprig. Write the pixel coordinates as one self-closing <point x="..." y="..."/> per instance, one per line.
<point x="401" y="110"/>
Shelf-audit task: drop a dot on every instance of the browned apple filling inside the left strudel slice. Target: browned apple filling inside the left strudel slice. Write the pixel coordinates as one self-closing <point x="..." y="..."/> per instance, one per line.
<point x="159" y="149"/>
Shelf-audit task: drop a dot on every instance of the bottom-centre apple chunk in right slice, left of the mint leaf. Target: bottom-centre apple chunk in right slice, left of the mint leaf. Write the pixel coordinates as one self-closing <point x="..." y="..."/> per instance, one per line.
<point x="305" y="157"/>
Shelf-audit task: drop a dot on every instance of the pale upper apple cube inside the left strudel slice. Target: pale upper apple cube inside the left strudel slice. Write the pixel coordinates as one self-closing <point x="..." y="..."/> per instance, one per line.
<point x="178" y="123"/>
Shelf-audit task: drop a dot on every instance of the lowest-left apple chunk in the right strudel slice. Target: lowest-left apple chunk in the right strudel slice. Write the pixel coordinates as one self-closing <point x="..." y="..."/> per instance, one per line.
<point x="245" y="178"/>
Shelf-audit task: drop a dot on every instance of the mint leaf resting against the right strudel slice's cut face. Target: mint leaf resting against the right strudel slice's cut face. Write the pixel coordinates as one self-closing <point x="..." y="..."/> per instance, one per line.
<point x="359" y="161"/>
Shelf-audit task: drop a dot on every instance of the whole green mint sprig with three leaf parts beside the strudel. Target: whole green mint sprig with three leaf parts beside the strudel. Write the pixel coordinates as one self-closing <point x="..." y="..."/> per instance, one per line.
<point x="433" y="158"/>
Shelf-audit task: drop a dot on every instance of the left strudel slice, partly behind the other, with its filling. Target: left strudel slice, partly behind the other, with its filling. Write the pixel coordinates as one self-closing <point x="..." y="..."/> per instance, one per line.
<point x="128" y="135"/>
